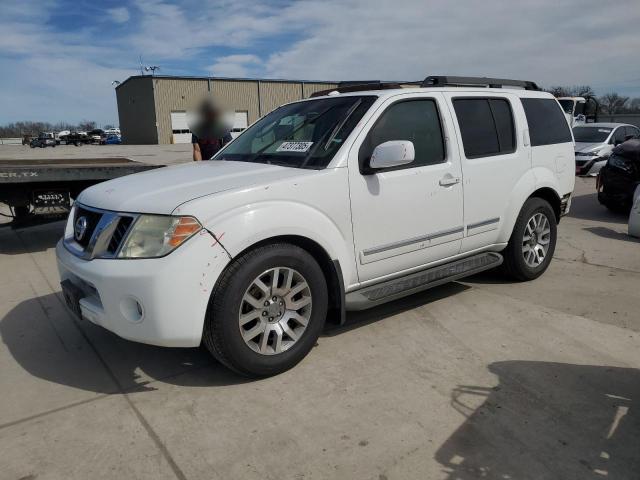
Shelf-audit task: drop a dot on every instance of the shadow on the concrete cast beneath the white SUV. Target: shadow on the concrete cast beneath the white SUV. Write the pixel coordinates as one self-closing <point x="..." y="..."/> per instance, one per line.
<point x="49" y="343"/>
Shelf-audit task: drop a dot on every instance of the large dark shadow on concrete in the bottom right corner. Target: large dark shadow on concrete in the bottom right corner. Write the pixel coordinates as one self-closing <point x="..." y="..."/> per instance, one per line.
<point x="547" y="421"/>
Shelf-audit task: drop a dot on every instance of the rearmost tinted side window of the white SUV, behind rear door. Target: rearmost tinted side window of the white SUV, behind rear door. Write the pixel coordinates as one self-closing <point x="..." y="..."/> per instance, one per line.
<point x="547" y="123"/>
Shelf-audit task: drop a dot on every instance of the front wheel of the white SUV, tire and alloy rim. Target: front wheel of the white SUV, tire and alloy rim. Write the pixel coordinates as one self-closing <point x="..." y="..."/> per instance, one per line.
<point x="237" y="293"/>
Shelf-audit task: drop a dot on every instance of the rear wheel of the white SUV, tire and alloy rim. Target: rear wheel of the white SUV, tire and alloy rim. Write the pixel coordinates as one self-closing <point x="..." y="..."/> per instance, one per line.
<point x="528" y="265"/>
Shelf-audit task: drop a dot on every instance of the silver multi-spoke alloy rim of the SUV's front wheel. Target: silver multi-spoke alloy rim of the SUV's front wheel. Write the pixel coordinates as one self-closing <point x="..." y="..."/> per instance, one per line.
<point x="275" y="310"/>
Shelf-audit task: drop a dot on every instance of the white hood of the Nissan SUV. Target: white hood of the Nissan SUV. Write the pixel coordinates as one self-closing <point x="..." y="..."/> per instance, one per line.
<point x="161" y="190"/>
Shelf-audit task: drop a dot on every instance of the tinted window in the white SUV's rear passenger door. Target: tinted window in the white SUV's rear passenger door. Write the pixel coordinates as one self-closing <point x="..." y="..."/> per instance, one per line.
<point x="486" y="125"/>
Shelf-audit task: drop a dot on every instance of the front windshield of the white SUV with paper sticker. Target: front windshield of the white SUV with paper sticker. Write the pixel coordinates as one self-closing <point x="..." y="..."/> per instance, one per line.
<point x="302" y="135"/>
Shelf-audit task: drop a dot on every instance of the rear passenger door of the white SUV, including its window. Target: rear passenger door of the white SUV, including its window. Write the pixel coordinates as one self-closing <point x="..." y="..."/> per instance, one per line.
<point x="494" y="159"/>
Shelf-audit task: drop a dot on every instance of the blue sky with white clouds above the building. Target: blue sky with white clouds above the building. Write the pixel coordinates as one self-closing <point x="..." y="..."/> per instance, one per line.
<point x="59" y="57"/>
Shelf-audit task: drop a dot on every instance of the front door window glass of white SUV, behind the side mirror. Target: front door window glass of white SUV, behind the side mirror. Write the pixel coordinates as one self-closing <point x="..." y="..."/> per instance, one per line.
<point x="416" y="121"/>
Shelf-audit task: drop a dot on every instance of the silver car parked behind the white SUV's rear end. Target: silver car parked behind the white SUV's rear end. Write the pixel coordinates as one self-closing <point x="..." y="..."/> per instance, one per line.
<point x="595" y="141"/>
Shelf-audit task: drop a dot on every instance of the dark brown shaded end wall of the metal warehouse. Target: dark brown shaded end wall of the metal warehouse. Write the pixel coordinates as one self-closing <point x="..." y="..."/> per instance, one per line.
<point x="136" y="112"/>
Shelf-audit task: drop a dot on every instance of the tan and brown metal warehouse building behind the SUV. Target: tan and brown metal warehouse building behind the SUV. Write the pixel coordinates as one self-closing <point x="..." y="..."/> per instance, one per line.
<point x="152" y="110"/>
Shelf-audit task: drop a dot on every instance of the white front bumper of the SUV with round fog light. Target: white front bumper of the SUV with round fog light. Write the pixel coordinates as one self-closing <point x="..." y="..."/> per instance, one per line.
<point x="160" y="301"/>
